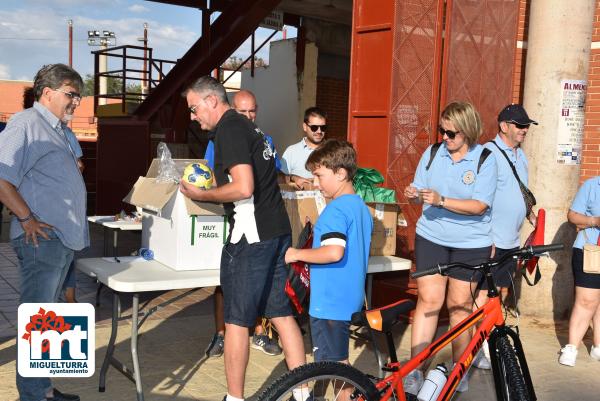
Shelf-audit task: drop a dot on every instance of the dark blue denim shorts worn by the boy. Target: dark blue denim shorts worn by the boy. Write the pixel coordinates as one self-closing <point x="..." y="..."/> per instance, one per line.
<point x="331" y="339"/>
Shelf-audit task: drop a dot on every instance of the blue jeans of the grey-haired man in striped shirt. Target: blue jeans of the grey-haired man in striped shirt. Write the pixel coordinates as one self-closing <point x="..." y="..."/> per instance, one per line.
<point x="43" y="270"/>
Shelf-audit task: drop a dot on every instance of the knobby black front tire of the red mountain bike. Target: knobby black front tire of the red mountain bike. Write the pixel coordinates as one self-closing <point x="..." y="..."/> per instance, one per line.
<point x="515" y="388"/>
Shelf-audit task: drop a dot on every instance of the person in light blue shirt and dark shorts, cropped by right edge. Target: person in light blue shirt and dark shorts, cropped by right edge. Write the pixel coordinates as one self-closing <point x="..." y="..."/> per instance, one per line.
<point x="585" y="214"/>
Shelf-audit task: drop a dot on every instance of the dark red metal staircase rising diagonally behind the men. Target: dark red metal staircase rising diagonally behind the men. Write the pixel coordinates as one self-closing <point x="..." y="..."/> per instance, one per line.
<point x="126" y="143"/>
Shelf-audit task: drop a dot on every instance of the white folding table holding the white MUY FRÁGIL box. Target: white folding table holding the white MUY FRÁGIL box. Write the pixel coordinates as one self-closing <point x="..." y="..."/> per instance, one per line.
<point x="134" y="275"/>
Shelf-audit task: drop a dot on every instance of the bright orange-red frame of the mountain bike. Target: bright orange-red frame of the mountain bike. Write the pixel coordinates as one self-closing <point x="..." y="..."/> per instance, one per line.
<point x="490" y="315"/>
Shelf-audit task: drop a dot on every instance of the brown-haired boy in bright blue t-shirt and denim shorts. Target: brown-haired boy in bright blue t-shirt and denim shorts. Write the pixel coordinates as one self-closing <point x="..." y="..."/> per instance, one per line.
<point x="340" y="253"/>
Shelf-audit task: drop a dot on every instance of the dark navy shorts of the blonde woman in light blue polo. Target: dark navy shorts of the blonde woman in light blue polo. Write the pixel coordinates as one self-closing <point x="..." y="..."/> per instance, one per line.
<point x="429" y="254"/>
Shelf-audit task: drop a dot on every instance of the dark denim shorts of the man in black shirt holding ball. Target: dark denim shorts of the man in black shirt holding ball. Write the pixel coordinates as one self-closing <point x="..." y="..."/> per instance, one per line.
<point x="253" y="280"/>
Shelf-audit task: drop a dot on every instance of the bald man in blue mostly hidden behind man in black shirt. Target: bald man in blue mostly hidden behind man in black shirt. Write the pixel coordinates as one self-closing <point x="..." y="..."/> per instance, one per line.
<point x="244" y="102"/>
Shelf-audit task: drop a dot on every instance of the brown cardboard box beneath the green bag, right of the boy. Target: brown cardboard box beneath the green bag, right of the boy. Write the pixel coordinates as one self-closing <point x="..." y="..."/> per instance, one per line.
<point x="385" y="220"/>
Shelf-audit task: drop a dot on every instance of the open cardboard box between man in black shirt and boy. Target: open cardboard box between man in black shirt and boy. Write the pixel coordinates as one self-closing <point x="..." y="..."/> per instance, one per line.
<point x="300" y="206"/>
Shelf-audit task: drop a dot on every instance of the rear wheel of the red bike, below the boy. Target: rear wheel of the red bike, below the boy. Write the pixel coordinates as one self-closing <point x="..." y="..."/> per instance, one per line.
<point x="322" y="381"/>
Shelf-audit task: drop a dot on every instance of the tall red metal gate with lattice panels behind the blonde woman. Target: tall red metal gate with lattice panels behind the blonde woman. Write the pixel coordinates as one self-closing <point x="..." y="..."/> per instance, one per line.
<point x="402" y="73"/>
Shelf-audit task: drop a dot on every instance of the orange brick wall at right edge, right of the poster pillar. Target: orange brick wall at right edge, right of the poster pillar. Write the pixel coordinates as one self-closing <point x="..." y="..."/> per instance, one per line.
<point x="590" y="164"/>
